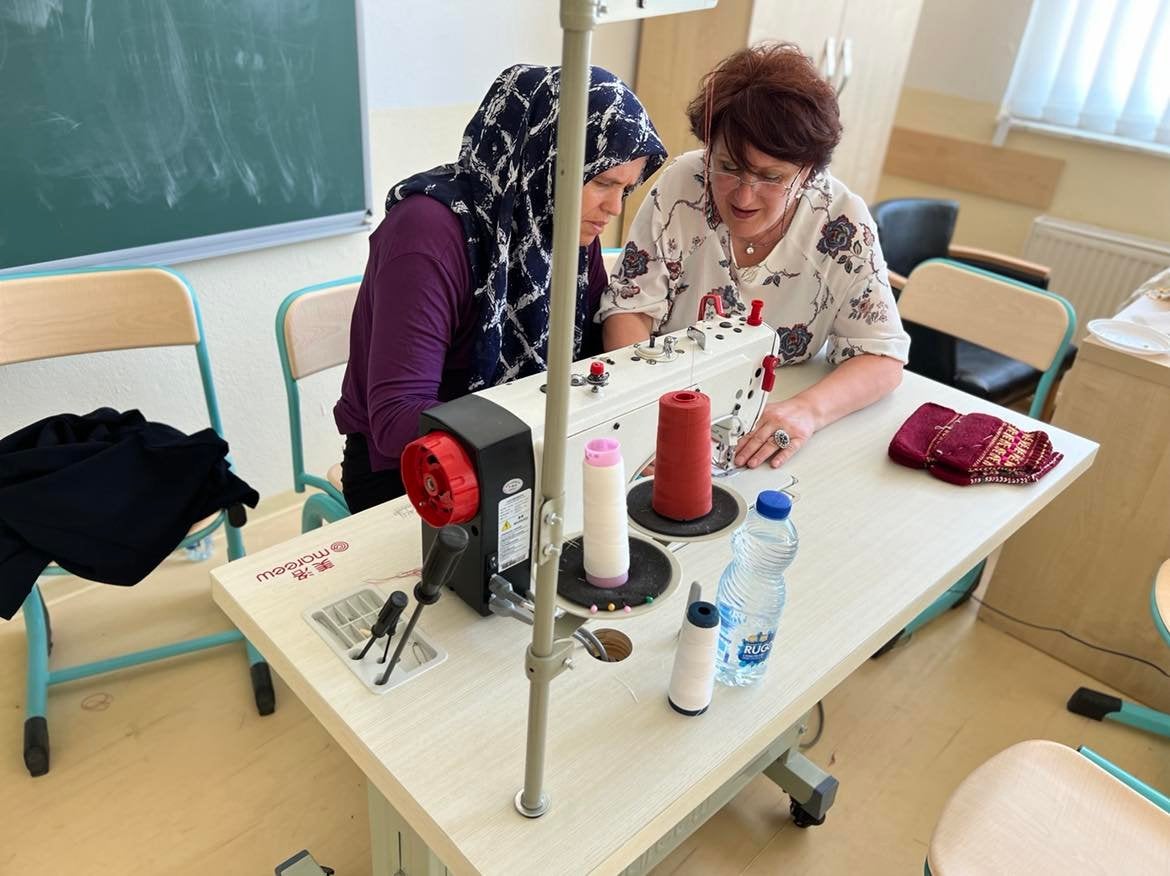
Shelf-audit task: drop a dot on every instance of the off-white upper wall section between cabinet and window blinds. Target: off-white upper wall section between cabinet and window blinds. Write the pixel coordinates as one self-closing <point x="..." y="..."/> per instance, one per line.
<point x="967" y="47"/>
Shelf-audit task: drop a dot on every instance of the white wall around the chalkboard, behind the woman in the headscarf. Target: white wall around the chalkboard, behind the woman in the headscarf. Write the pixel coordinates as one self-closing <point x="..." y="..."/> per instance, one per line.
<point x="428" y="66"/>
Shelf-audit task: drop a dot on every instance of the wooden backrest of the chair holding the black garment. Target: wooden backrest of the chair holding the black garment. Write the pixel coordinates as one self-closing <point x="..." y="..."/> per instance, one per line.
<point x="44" y="316"/>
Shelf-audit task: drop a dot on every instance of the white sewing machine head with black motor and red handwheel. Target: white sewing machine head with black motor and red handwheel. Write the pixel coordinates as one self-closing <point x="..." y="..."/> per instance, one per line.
<point x="479" y="459"/>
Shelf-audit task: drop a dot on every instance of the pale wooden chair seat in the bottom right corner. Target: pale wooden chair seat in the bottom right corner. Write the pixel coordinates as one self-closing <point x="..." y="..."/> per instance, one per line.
<point x="1043" y="808"/>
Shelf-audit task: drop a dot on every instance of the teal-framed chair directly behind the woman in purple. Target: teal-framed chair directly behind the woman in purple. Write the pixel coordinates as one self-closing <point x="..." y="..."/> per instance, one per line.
<point x="313" y="334"/>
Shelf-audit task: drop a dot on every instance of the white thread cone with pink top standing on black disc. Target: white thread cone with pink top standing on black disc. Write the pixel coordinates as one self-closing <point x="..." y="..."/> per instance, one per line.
<point x="605" y="539"/>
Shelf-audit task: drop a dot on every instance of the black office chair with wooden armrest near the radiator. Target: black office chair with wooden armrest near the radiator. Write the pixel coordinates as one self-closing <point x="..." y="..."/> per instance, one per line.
<point x="914" y="230"/>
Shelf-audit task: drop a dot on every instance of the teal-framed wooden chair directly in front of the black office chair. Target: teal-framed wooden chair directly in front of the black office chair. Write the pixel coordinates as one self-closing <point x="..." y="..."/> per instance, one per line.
<point x="1007" y="316"/>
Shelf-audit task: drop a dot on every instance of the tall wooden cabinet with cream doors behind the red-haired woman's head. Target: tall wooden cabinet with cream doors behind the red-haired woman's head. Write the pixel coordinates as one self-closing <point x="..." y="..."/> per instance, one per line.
<point x="862" y="46"/>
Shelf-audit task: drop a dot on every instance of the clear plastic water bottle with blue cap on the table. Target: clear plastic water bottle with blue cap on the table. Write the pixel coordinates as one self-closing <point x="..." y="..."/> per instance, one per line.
<point x="753" y="591"/>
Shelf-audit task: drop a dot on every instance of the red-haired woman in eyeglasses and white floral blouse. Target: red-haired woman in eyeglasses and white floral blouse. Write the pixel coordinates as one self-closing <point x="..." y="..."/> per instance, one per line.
<point x="756" y="215"/>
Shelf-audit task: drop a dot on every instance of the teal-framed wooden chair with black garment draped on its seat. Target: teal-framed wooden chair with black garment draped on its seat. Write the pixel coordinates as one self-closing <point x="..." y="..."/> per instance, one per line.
<point x="51" y="315"/>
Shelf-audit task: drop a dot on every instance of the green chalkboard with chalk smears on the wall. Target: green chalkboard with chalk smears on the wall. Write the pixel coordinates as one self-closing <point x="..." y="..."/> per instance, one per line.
<point x="177" y="129"/>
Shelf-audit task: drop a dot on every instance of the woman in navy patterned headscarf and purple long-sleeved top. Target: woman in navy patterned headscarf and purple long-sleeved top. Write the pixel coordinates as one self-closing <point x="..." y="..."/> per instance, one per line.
<point x="456" y="294"/>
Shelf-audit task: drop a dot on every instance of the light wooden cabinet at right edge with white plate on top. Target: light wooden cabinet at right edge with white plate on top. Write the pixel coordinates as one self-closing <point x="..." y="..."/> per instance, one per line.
<point x="1086" y="564"/>
